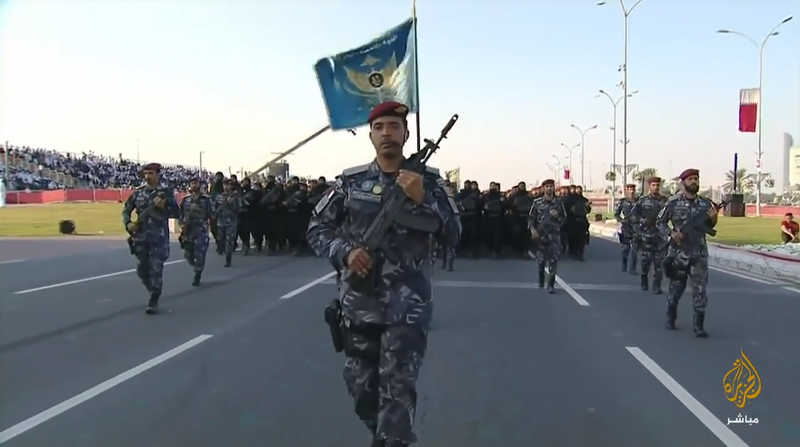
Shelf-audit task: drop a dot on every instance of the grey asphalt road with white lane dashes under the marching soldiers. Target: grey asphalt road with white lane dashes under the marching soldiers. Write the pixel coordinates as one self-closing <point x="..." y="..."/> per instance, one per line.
<point x="245" y="360"/>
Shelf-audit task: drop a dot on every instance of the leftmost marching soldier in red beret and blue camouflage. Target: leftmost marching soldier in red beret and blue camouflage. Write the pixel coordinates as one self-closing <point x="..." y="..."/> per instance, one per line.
<point x="149" y="235"/>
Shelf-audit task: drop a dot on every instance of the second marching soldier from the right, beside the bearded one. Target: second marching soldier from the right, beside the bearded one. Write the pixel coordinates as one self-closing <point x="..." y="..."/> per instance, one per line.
<point x="651" y="253"/>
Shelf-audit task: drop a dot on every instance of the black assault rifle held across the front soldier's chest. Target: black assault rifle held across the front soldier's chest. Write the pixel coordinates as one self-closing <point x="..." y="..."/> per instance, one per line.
<point x="374" y="238"/>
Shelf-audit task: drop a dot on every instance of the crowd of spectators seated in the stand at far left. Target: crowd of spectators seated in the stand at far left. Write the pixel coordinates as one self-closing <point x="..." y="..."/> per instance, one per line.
<point x="87" y="170"/>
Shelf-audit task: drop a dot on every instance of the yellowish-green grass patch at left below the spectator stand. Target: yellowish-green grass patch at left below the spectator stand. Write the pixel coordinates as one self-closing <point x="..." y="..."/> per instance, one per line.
<point x="94" y="219"/>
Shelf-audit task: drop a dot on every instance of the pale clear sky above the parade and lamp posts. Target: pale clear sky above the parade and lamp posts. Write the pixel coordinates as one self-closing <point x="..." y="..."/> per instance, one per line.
<point x="234" y="80"/>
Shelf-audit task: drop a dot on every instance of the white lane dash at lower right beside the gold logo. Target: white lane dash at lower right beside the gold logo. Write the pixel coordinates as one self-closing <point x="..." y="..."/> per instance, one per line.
<point x="707" y="418"/>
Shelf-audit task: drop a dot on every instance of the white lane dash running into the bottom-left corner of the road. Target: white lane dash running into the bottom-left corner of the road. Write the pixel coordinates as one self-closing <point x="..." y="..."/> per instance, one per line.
<point x="33" y="422"/>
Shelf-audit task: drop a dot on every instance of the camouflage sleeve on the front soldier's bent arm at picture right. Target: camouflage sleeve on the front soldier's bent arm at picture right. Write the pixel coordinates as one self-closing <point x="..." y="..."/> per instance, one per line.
<point x="439" y="204"/>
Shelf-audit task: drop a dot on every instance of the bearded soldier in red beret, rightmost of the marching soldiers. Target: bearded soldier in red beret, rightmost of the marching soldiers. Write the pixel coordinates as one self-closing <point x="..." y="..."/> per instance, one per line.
<point x="687" y="255"/>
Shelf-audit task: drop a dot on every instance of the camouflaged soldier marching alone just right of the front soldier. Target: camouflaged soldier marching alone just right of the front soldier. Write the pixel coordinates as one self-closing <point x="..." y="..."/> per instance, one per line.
<point x="546" y="216"/>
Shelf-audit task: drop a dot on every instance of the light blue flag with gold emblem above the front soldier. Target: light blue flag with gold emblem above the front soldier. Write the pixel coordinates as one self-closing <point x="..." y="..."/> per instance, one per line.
<point x="382" y="70"/>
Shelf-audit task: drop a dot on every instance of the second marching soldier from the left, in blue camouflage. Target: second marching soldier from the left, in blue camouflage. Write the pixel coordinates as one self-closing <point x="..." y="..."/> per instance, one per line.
<point x="197" y="210"/>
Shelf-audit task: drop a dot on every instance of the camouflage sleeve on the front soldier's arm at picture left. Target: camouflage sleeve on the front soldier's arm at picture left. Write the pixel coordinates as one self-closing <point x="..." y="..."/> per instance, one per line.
<point x="323" y="233"/>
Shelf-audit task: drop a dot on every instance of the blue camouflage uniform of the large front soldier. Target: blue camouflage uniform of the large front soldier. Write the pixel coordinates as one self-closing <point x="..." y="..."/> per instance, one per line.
<point x="385" y="334"/>
